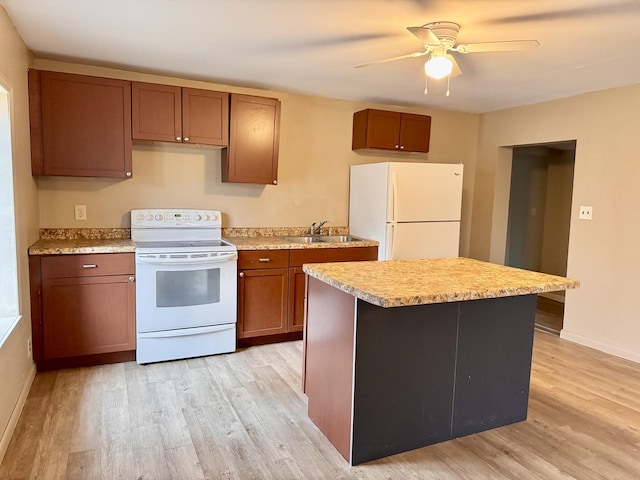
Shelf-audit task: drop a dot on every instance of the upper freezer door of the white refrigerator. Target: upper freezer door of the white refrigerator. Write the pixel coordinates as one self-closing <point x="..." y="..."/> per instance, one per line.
<point x="425" y="192"/>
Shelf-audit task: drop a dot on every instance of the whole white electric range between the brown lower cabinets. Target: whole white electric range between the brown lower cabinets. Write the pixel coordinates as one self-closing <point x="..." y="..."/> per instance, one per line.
<point x="185" y="284"/>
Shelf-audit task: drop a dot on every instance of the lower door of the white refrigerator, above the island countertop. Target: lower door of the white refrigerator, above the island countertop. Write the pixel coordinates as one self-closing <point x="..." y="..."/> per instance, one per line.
<point x="408" y="241"/>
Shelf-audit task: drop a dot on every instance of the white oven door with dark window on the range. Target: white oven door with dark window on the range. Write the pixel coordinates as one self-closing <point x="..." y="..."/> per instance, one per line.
<point x="184" y="290"/>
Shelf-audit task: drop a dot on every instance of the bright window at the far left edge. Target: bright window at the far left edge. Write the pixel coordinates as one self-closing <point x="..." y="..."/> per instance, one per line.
<point x="9" y="310"/>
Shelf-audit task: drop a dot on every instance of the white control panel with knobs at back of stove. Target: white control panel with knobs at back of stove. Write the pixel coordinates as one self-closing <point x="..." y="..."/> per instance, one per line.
<point x="175" y="218"/>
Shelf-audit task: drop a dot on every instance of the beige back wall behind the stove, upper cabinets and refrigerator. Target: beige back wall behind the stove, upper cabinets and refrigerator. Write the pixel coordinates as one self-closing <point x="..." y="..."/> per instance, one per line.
<point x="313" y="170"/>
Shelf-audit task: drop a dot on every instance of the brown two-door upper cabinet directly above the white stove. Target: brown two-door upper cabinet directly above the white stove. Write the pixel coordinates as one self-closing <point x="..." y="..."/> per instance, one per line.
<point x="165" y="113"/>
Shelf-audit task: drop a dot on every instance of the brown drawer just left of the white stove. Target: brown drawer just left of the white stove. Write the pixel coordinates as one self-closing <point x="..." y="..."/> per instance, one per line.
<point x="62" y="266"/>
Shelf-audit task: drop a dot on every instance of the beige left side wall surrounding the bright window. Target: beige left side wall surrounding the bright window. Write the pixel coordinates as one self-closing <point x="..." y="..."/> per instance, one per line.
<point x="16" y="369"/>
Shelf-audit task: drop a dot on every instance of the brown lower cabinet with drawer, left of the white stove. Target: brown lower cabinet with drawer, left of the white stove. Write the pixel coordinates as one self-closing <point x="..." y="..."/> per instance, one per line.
<point x="83" y="309"/>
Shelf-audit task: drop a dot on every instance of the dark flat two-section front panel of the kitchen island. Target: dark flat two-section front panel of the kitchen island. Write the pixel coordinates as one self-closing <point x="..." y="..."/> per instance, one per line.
<point x="429" y="373"/>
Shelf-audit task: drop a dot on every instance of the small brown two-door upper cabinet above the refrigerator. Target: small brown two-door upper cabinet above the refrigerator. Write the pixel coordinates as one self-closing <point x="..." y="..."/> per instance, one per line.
<point x="380" y="129"/>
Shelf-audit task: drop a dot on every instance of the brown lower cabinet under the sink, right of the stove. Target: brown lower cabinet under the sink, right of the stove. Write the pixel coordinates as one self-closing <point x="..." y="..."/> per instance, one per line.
<point x="271" y="290"/>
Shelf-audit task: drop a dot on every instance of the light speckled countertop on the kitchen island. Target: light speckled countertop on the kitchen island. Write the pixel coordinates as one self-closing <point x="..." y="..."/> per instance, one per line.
<point x="398" y="283"/>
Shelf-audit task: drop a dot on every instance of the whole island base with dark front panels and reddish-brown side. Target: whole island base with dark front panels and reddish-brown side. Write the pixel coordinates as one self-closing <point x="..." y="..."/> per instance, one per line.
<point x="418" y="375"/>
